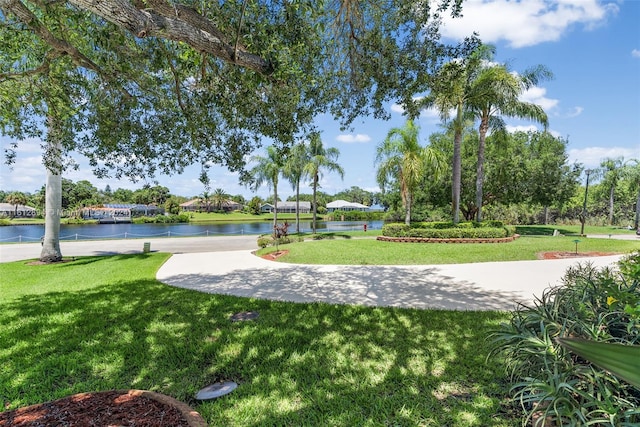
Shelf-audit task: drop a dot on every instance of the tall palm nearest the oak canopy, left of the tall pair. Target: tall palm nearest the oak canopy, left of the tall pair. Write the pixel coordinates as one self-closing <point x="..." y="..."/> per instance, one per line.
<point x="451" y="89"/>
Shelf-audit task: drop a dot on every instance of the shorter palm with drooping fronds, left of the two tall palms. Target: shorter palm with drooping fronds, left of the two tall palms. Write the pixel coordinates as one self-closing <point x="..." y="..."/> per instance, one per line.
<point x="400" y="157"/>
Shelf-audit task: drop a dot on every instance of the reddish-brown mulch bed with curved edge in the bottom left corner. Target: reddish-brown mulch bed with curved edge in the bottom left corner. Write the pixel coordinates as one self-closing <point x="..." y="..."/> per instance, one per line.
<point x="108" y="408"/>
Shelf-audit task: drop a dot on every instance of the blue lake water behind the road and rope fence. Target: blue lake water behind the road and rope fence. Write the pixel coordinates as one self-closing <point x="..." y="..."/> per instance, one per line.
<point x="33" y="233"/>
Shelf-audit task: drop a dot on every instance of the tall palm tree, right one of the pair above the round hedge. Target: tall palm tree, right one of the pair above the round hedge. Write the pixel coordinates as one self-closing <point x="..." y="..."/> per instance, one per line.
<point x="493" y="92"/>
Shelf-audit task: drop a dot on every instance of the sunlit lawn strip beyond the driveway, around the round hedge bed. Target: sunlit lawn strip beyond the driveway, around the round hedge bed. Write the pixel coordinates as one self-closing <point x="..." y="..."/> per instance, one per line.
<point x="355" y="251"/>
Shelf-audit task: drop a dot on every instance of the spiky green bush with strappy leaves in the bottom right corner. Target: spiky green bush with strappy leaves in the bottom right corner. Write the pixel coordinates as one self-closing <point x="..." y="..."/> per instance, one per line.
<point x="601" y="305"/>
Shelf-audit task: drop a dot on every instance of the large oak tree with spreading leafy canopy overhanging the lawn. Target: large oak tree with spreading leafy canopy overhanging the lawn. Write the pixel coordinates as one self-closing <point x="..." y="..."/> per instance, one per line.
<point x="141" y="87"/>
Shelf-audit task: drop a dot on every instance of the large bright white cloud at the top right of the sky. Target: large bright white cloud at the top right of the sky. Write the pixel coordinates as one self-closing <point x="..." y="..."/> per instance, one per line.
<point x="524" y="23"/>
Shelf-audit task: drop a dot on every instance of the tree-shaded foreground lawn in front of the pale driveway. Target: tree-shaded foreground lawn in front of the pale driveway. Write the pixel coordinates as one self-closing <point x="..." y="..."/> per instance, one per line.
<point x="102" y="323"/>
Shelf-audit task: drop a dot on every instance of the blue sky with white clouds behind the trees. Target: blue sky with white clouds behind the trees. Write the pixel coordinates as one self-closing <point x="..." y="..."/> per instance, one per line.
<point x="591" y="46"/>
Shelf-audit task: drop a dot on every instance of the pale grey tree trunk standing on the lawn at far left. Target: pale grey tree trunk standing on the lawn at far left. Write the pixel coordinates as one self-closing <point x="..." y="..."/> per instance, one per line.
<point x="53" y="208"/>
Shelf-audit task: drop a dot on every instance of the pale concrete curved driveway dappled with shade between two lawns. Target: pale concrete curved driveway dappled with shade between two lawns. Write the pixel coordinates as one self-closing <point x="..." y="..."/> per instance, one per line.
<point x="478" y="286"/>
